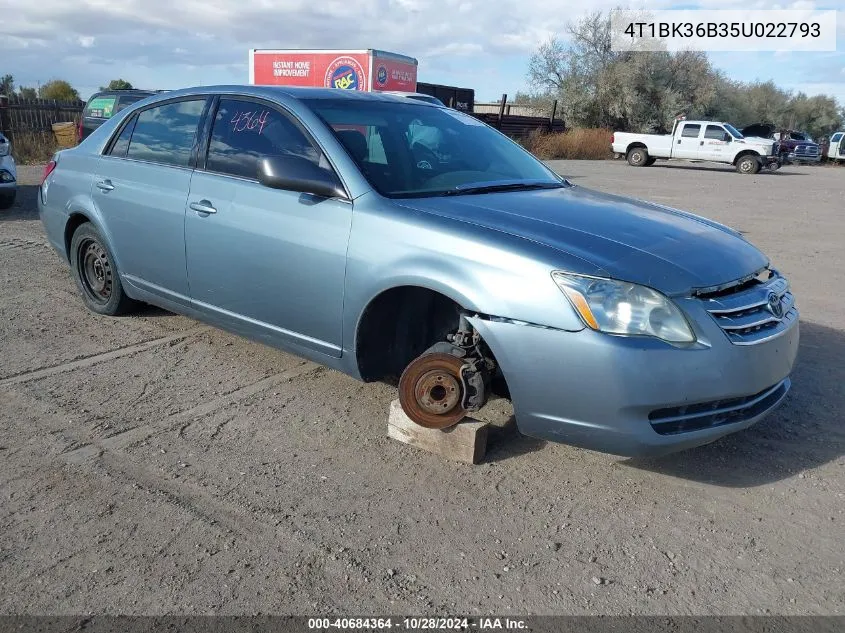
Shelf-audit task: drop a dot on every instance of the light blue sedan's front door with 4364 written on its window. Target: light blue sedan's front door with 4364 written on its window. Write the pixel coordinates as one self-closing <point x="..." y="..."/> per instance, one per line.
<point x="265" y="262"/>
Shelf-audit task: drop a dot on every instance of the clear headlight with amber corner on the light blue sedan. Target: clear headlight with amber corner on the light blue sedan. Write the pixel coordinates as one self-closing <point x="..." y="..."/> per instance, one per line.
<point x="620" y="307"/>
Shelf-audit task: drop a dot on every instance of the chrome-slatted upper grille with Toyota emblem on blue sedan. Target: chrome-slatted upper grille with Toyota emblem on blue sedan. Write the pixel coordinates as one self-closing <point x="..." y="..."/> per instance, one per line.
<point x="753" y="310"/>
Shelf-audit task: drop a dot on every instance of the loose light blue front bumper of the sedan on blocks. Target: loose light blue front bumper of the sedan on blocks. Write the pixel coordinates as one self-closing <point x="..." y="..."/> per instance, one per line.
<point x="635" y="396"/>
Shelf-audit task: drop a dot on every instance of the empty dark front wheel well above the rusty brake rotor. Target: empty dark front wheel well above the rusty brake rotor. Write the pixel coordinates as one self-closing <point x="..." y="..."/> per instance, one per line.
<point x="399" y="325"/>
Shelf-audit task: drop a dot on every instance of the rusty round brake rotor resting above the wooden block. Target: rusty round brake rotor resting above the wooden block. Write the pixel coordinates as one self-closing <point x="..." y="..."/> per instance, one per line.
<point x="430" y="391"/>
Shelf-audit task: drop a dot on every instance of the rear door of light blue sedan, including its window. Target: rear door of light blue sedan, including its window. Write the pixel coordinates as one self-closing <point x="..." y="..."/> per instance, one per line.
<point x="141" y="188"/>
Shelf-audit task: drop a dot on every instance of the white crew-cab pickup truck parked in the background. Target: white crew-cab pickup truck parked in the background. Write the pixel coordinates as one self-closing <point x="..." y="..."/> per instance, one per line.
<point x="699" y="141"/>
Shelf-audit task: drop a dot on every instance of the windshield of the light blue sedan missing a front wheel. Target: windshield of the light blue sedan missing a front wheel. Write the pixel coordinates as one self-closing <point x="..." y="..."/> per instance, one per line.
<point x="416" y="150"/>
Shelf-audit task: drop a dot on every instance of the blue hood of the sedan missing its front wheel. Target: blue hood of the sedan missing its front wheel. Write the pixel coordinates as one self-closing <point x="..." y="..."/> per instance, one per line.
<point x="641" y="242"/>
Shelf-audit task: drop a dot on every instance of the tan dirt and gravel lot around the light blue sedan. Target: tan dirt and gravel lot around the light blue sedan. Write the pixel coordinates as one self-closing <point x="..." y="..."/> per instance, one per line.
<point x="152" y="465"/>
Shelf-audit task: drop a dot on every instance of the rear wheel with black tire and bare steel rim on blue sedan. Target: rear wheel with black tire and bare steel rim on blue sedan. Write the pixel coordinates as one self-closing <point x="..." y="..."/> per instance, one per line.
<point x="96" y="274"/>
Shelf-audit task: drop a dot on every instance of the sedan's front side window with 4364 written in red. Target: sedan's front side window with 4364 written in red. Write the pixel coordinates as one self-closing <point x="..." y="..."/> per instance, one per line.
<point x="244" y="131"/>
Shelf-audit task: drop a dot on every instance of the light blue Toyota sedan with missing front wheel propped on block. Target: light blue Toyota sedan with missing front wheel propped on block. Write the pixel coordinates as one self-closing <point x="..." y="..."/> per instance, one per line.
<point x="312" y="221"/>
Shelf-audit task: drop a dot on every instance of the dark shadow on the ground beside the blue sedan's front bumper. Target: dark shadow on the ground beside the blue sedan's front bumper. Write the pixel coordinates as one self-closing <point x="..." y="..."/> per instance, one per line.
<point x="804" y="433"/>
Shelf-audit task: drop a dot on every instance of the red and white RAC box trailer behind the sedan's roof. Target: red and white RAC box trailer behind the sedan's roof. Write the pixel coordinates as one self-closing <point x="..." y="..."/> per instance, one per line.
<point x="346" y="70"/>
